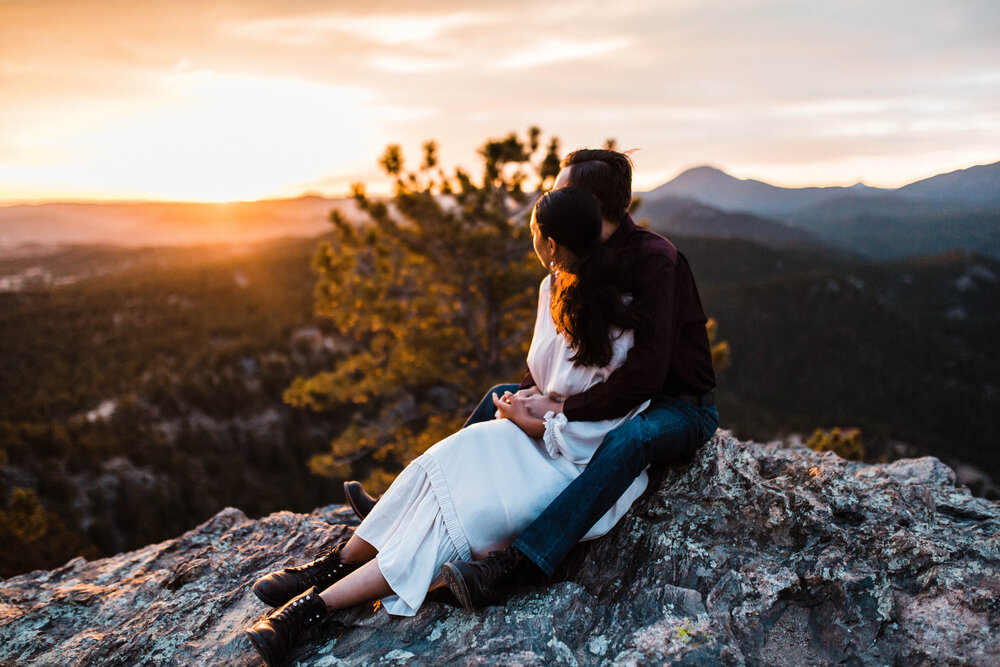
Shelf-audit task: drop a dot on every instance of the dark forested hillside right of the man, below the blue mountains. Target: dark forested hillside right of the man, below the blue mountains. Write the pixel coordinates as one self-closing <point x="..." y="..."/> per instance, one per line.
<point x="907" y="352"/>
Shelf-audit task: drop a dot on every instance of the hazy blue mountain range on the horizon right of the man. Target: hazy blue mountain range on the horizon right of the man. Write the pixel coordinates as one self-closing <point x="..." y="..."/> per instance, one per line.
<point x="955" y="211"/>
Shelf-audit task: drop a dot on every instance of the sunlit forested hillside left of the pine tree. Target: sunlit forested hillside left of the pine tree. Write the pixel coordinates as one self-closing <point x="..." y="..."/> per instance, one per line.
<point x="141" y="400"/>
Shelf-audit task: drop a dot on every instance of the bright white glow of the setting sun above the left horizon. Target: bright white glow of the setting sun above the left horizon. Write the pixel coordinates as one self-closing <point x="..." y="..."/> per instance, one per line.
<point x="210" y="138"/>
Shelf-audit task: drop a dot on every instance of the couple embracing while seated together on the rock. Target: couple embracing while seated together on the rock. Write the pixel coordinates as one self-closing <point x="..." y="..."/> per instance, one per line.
<point x="619" y="376"/>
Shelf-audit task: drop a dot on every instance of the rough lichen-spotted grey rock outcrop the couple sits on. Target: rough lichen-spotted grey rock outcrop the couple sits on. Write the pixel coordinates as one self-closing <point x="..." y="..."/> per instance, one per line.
<point x="748" y="555"/>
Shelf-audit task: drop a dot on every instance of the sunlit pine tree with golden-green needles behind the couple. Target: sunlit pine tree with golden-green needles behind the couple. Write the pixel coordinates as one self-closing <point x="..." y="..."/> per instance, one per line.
<point x="436" y="290"/>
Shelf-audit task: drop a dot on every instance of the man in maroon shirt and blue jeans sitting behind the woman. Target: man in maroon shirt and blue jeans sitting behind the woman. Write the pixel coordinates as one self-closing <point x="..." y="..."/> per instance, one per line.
<point x="670" y="364"/>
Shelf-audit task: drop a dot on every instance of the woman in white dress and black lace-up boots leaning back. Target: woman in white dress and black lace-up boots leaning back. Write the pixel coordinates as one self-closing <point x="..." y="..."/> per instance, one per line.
<point x="477" y="490"/>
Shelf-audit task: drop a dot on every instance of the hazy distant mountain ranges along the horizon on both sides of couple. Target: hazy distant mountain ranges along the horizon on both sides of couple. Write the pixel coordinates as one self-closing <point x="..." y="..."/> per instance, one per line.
<point x="954" y="211"/>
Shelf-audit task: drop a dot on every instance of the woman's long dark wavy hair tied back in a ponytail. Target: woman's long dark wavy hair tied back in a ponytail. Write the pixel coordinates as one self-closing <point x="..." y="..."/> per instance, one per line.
<point x="587" y="296"/>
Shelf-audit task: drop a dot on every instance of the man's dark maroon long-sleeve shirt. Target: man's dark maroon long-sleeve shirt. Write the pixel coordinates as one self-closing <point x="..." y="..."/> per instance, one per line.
<point x="671" y="354"/>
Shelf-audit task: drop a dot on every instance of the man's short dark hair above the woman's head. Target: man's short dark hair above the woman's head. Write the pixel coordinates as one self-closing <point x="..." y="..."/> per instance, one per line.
<point x="608" y="176"/>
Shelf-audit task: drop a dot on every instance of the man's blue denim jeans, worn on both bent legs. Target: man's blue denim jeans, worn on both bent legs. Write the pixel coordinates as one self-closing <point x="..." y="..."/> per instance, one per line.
<point x="668" y="430"/>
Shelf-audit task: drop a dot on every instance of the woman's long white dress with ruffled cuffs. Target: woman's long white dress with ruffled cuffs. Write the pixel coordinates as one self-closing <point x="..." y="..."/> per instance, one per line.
<point x="478" y="489"/>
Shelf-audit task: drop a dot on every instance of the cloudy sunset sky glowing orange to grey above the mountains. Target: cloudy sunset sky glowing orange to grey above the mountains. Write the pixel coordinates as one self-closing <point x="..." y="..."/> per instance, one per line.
<point x="219" y="100"/>
